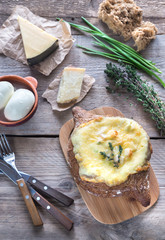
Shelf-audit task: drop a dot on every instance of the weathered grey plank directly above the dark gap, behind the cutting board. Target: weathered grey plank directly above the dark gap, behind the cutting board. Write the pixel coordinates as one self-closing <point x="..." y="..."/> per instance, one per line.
<point x="47" y="122"/>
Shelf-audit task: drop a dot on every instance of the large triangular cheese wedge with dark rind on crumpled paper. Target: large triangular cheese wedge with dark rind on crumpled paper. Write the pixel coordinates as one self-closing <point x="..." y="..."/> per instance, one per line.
<point x="38" y="44"/>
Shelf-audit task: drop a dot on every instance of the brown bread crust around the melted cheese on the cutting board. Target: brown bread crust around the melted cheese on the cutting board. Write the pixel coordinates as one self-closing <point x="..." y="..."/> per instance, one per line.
<point x="136" y="187"/>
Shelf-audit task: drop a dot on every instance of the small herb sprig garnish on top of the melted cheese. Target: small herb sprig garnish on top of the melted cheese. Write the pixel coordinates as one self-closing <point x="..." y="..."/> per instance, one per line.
<point x="111" y="156"/>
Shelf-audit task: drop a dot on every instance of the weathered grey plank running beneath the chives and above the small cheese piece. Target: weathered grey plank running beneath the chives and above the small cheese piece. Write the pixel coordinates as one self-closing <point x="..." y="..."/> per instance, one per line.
<point x="95" y="65"/>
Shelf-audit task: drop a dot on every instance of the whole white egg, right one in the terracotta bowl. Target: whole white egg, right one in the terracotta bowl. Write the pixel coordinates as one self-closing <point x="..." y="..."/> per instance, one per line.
<point x="19" y="105"/>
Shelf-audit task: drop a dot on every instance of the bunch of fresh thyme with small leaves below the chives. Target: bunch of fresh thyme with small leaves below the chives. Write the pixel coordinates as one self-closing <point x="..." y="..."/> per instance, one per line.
<point x="127" y="77"/>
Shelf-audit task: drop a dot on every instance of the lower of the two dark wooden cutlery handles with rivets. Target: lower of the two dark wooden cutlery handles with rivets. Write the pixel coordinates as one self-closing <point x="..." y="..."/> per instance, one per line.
<point x="66" y="222"/>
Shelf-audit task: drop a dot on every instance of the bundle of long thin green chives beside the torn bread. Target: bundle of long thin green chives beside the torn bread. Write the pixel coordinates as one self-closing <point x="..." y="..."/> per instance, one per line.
<point x="116" y="50"/>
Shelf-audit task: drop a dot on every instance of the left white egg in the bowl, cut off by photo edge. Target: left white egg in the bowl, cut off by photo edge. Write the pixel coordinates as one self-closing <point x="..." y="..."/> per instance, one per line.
<point x="6" y="91"/>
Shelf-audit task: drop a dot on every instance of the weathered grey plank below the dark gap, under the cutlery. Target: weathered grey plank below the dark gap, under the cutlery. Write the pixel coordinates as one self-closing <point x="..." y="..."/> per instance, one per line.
<point x="43" y="158"/>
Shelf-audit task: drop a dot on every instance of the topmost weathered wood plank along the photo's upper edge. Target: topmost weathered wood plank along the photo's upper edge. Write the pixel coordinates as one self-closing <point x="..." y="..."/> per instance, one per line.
<point x="51" y="8"/>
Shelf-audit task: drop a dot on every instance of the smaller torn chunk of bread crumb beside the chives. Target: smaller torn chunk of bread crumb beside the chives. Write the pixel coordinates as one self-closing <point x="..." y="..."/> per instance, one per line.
<point x="144" y="34"/>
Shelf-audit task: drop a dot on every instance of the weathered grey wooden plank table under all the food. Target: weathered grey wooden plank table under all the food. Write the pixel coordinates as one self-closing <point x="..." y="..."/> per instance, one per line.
<point x="36" y="142"/>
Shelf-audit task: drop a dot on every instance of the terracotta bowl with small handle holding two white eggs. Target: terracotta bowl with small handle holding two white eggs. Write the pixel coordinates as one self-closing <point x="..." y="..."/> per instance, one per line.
<point x="29" y="82"/>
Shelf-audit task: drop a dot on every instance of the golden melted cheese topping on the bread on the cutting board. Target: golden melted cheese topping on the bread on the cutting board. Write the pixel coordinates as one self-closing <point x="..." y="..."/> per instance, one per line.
<point x="91" y="138"/>
